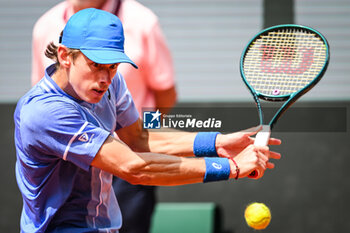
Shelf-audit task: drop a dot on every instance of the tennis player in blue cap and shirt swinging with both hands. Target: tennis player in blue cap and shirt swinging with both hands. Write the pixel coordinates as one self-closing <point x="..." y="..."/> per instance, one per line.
<point x="66" y="152"/>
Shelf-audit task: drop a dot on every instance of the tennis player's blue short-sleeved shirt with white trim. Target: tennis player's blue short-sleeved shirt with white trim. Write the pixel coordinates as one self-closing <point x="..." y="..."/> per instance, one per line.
<point x="56" y="139"/>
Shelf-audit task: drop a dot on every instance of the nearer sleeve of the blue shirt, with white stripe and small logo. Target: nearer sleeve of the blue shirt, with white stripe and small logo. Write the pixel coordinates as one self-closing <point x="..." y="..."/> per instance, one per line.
<point x="57" y="129"/>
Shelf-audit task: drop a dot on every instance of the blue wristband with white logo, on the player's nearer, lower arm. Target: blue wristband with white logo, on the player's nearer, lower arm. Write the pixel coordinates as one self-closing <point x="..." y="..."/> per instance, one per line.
<point x="216" y="169"/>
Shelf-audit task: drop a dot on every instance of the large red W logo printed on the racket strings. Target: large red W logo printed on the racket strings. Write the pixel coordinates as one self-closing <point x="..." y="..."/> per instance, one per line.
<point x="281" y="60"/>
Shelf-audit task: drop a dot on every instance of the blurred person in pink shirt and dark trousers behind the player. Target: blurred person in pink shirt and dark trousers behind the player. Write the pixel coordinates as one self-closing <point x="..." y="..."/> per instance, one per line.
<point x="151" y="86"/>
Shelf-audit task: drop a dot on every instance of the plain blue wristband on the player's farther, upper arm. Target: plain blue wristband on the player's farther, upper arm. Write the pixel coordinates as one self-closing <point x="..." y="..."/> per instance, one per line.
<point x="204" y="144"/>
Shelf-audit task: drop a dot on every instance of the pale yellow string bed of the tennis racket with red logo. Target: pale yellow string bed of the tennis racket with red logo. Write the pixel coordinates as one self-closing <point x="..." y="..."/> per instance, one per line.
<point x="284" y="61"/>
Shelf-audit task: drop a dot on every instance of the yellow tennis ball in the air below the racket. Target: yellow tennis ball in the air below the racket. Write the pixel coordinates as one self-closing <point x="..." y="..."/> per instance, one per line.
<point x="257" y="215"/>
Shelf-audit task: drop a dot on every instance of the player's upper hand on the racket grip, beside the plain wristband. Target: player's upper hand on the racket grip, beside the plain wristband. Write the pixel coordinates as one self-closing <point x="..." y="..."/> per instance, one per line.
<point x="230" y="145"/>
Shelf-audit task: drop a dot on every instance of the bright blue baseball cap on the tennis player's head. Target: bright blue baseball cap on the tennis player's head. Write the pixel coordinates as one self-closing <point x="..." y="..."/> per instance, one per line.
<point x="98" y="34"/>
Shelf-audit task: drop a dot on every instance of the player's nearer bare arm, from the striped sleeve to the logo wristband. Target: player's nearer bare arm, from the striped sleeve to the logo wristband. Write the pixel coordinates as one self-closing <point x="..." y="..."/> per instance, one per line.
<point x="152" y="168"/>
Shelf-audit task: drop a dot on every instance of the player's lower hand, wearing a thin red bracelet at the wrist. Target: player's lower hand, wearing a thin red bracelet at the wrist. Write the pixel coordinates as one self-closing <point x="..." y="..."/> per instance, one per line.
<point x="255" y="158"/>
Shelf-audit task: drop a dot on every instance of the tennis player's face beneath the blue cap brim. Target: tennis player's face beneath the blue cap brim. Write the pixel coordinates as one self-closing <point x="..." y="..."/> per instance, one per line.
<point x="89" y="81"/>
